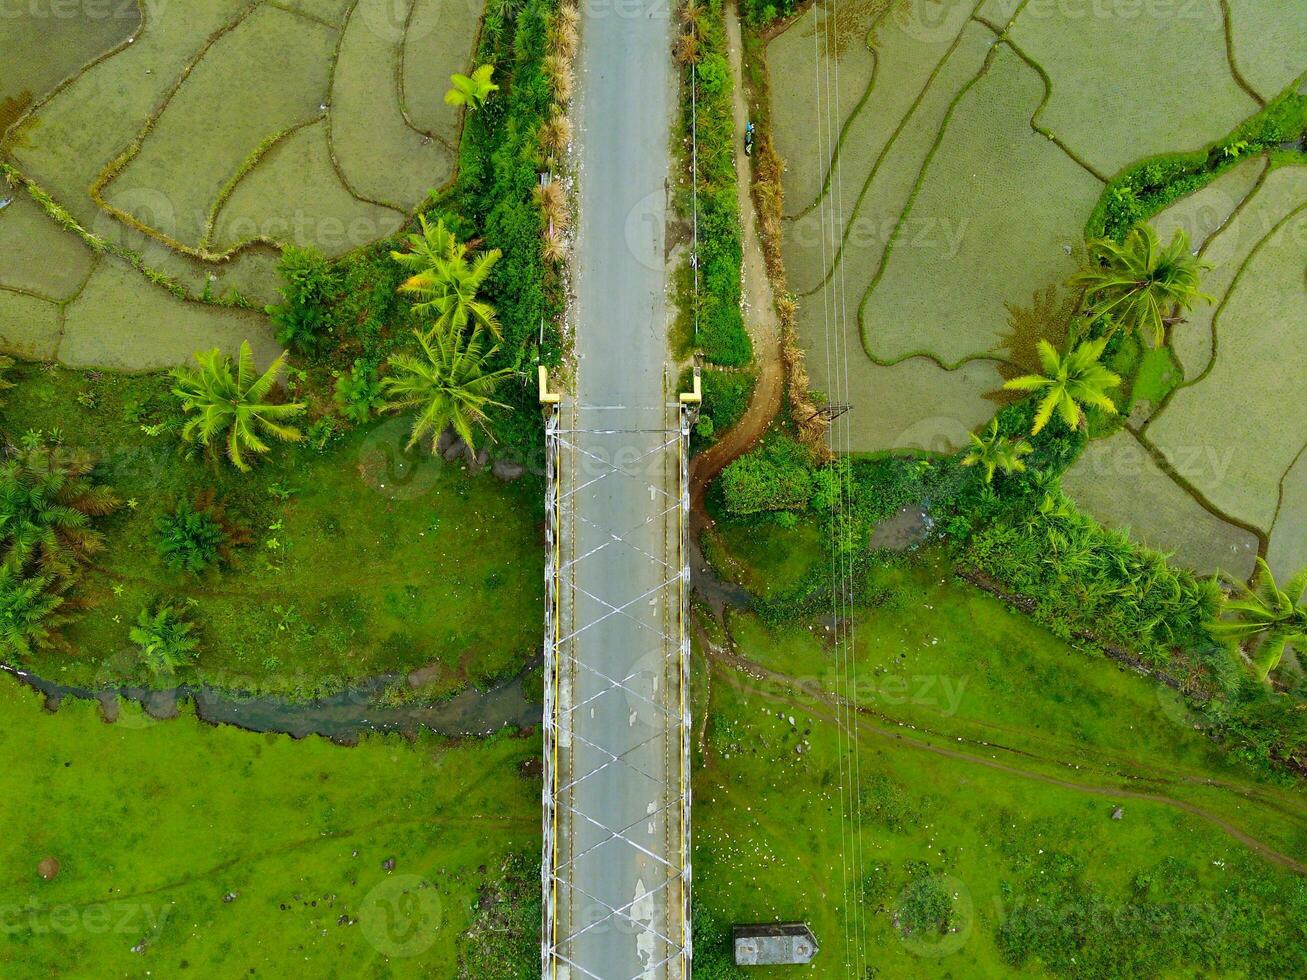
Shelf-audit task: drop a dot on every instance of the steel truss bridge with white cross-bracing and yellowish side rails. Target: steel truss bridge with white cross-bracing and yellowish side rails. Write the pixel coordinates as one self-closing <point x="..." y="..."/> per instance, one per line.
<point x="616" y="871"/>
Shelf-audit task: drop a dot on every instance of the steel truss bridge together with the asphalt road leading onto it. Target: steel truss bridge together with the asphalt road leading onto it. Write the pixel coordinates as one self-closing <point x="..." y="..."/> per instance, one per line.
<point x="616" y="864"/>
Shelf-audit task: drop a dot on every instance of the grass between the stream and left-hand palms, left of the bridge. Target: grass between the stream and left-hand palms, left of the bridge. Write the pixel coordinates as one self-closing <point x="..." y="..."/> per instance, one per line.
<point x="363" y="560"/>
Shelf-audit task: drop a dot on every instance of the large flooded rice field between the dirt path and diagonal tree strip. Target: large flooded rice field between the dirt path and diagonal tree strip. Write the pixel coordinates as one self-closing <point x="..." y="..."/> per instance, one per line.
<point x="972" y="140"/>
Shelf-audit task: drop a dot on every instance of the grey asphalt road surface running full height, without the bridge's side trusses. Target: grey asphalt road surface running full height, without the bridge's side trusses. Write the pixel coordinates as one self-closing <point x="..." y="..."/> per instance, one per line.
<point x="621" y="522"/>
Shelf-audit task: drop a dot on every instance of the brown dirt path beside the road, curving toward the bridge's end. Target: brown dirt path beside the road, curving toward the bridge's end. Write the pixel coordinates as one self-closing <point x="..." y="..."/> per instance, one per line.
<point x="760" y="313"/>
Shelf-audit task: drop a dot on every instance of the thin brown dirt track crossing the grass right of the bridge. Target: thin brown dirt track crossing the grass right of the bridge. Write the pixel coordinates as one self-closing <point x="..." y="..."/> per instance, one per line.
<point x="739" y="664"/>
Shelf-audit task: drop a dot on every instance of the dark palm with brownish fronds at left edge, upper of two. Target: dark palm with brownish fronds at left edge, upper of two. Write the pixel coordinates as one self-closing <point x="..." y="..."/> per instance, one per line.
<point x="48" y="501"/>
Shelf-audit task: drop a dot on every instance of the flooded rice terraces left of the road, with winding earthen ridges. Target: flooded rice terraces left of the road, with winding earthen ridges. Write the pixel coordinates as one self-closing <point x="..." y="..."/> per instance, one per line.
<point x="184" y="146"/>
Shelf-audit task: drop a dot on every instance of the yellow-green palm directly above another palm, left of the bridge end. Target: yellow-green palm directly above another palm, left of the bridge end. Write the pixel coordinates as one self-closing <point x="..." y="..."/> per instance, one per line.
<point x="445" y="282"/>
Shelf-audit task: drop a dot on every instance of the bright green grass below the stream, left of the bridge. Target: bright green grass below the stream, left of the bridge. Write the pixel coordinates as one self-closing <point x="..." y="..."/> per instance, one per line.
<point x="232" y="853"/>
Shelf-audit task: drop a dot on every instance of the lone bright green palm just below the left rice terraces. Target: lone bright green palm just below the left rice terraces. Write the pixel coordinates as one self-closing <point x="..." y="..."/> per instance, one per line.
<point x="235" y="407"/>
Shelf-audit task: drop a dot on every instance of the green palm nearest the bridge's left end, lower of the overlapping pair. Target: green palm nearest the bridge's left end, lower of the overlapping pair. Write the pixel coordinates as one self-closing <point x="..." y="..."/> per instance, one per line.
<point x="449" y="385"/>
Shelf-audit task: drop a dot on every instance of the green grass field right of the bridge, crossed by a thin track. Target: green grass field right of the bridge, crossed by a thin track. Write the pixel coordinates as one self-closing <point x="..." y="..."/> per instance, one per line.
<point x="990" y="759"/>
